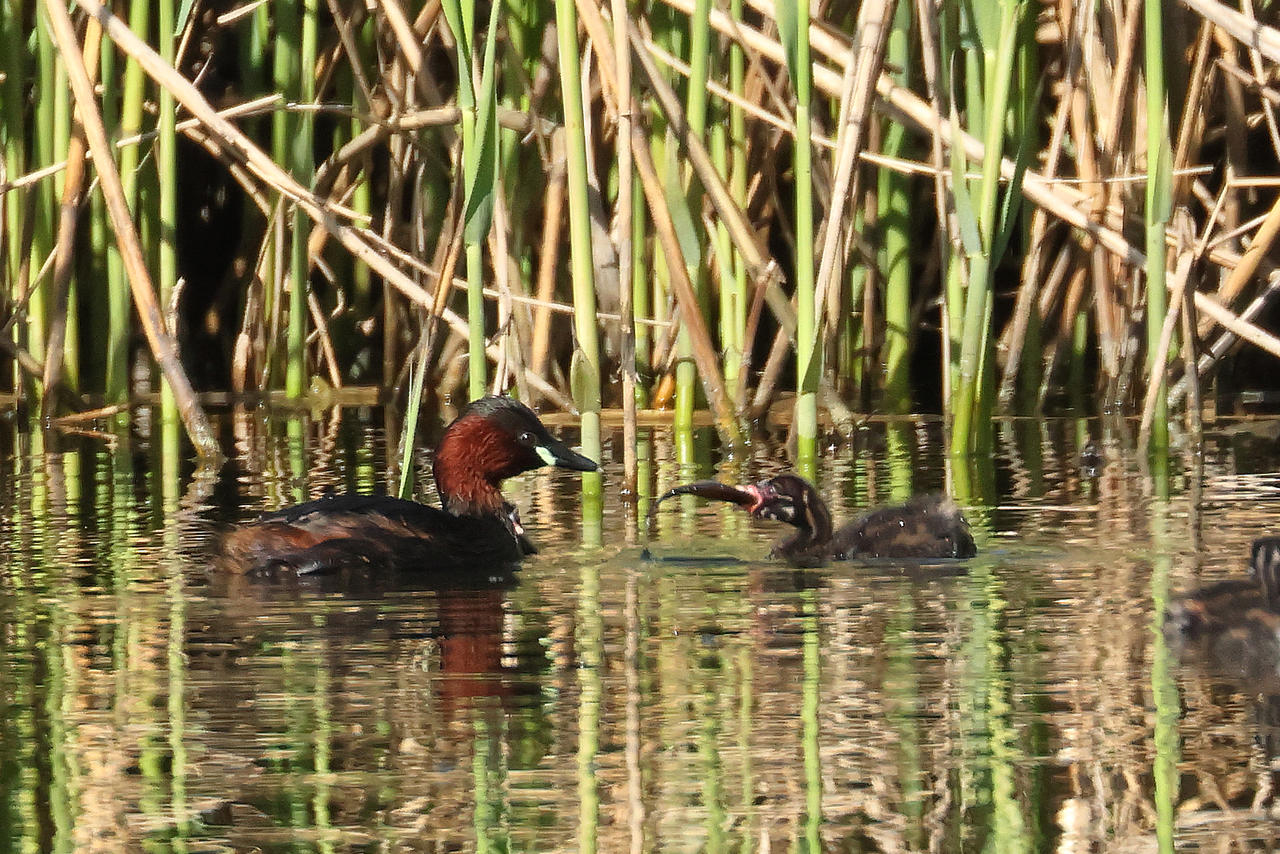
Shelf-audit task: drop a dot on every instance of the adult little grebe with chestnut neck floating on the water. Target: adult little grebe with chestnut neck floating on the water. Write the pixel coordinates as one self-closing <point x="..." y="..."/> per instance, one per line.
<point x="492" y="440"/>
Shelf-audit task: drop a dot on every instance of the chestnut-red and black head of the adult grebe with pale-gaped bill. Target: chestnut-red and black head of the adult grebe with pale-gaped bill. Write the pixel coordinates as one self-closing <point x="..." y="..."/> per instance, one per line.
<point x="492" y="440"/>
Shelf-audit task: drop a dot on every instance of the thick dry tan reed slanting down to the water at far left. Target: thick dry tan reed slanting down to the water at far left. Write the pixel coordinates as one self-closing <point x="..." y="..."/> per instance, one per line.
<point x="163" y="346"/>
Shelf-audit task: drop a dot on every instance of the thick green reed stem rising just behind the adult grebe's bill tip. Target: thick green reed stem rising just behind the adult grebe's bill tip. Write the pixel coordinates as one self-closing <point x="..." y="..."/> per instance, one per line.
<point x="586" y="368"/>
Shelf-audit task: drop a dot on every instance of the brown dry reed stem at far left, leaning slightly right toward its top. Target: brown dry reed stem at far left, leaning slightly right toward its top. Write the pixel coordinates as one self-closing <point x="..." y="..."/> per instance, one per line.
<point x="74" y="193"/>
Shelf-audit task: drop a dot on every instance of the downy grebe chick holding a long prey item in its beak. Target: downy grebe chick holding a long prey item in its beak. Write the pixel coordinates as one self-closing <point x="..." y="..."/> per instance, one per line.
<point x="927" y="527"/>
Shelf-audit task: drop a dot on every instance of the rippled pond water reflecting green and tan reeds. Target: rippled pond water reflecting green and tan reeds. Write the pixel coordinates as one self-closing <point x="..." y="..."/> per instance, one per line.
<point x="696" y="698"/>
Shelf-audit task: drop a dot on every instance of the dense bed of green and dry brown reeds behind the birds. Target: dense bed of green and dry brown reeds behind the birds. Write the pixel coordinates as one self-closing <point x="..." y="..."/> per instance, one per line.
<point x="879" y="207"/>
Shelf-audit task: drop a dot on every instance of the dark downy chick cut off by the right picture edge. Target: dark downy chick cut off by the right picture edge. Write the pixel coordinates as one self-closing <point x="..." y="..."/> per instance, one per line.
<point x="1236" y="624"/>
